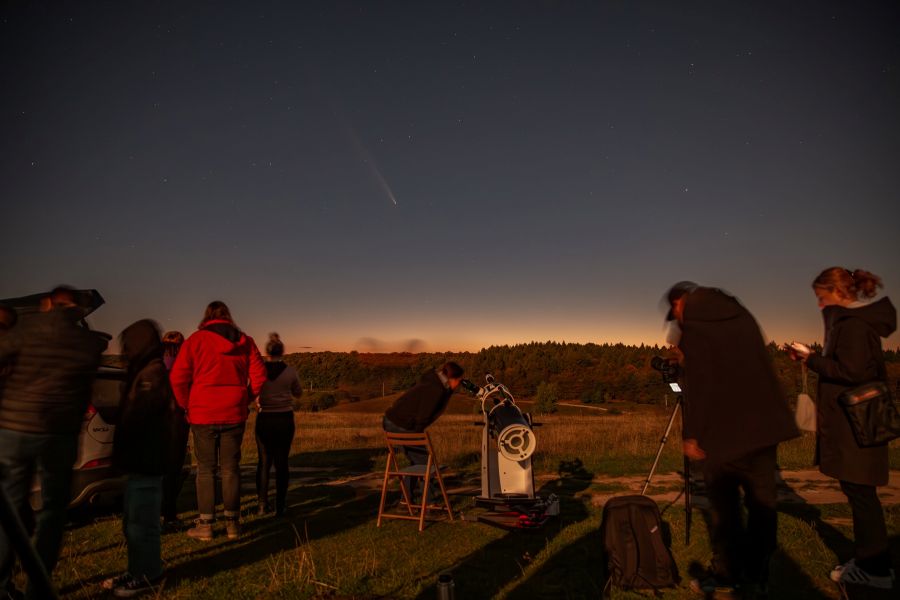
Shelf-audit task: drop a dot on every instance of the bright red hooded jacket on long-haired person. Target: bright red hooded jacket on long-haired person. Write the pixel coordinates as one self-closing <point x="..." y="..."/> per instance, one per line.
<point x="211" y="374"/>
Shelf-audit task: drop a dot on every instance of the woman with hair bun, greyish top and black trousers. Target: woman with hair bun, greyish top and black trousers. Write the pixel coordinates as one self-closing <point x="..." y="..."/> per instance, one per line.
<point x="275" y="425"/>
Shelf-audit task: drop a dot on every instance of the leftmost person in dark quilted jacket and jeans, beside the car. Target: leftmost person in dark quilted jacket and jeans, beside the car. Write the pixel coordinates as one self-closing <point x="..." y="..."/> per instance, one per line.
<point x="45" y="394"/>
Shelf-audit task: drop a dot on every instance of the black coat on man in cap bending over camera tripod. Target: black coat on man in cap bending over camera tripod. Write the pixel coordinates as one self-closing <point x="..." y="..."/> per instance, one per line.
<point x="733" y="402"/>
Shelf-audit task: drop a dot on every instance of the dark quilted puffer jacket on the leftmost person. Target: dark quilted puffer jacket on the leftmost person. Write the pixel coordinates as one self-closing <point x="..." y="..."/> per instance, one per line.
<point x="54" y="362"/>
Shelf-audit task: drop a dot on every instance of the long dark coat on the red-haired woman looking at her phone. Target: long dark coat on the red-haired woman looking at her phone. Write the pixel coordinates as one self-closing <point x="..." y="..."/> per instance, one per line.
<point x="852" y="356"/>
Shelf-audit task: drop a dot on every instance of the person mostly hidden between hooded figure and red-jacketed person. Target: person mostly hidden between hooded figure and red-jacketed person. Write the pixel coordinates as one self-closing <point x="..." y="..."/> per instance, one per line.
<point x="176" y="448"/>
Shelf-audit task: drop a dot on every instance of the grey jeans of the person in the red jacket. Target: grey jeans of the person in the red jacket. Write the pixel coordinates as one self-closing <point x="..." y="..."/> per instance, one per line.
<point x="218" y="448"/>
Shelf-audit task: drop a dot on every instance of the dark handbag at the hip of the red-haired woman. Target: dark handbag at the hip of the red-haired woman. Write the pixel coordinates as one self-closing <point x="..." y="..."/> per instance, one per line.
<point x="873" y="416"/>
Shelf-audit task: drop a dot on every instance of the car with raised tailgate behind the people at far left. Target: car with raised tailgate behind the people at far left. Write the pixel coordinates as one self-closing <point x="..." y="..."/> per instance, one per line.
<point x="93" y="475"/>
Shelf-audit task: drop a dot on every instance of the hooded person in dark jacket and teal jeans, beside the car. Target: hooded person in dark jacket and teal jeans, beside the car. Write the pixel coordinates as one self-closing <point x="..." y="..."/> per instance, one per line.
<point x="139" y="450"/>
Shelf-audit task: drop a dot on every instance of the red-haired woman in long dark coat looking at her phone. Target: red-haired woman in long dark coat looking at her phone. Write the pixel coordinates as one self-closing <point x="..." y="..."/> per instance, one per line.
<point x="852" y="356"/>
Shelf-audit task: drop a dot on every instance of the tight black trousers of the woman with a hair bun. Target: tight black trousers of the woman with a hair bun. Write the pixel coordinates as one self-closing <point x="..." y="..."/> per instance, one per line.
<point x="274" y="434"/>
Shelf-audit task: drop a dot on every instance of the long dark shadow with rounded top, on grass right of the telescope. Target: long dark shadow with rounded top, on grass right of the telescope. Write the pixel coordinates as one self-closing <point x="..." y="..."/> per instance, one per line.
<point x="483" y="573"/>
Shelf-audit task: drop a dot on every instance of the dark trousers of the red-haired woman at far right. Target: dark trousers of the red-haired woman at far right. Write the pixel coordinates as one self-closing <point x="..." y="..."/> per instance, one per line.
<point x="872" y="550"/>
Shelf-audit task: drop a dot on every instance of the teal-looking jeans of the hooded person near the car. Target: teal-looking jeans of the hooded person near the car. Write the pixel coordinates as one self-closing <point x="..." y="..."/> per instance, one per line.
<point x="140" y="523"/>
